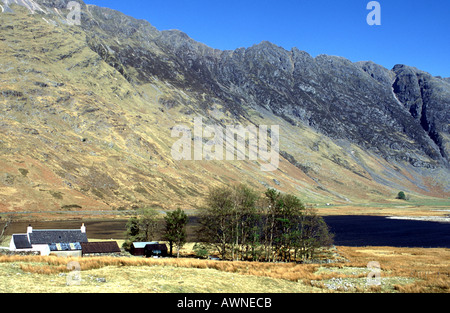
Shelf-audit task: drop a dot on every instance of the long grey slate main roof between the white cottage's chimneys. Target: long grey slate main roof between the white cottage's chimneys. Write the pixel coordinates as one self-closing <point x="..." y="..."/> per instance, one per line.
<point x="39" y="237"/>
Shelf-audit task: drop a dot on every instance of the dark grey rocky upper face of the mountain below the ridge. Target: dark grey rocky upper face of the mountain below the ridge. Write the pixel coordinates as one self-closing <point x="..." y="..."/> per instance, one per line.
<point x="358" y="102"/>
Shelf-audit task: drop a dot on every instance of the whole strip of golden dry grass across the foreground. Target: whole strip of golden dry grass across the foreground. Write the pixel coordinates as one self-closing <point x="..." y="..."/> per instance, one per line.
<point x="402" y="270"/>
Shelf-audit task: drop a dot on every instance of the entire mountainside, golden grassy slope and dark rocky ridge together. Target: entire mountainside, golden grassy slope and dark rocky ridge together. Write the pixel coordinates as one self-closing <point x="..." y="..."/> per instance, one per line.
<point x="92" y="106"/>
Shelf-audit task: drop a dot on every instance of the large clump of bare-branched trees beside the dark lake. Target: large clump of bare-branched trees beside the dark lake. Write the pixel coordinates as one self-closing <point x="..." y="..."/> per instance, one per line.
<point x="243" y="225"/>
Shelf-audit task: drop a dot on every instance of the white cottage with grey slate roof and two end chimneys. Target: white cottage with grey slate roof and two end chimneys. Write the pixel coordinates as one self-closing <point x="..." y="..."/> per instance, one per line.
<point x="64" y="242"/>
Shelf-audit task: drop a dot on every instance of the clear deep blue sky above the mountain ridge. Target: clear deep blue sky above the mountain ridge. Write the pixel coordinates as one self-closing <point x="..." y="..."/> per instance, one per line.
<point x="415" y="33"/>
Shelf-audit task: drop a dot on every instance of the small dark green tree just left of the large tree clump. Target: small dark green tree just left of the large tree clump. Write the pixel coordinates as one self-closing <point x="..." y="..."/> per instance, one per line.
<point x="175" y="233"/>
